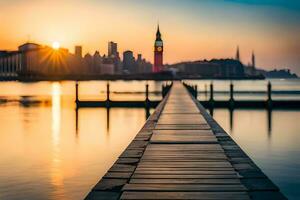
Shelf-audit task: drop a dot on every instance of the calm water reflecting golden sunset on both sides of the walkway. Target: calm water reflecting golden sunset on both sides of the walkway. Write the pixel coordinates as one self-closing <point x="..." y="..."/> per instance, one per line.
<point x="51" y="152"/>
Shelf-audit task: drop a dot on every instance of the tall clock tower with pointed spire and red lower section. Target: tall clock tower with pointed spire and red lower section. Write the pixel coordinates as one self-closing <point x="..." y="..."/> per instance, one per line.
<point x="158" y="52"/>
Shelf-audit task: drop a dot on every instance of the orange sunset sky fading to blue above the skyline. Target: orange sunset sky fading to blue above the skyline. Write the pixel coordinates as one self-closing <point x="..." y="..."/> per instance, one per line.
<point x="191" y="29"/>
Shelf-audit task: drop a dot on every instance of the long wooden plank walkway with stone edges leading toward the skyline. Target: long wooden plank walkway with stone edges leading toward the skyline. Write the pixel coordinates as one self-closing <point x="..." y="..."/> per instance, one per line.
<point x="182" y="153"/>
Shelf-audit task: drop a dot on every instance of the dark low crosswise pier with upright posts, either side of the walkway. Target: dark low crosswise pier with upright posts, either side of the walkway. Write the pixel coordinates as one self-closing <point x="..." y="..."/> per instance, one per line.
<point x="212" y="103"/>
